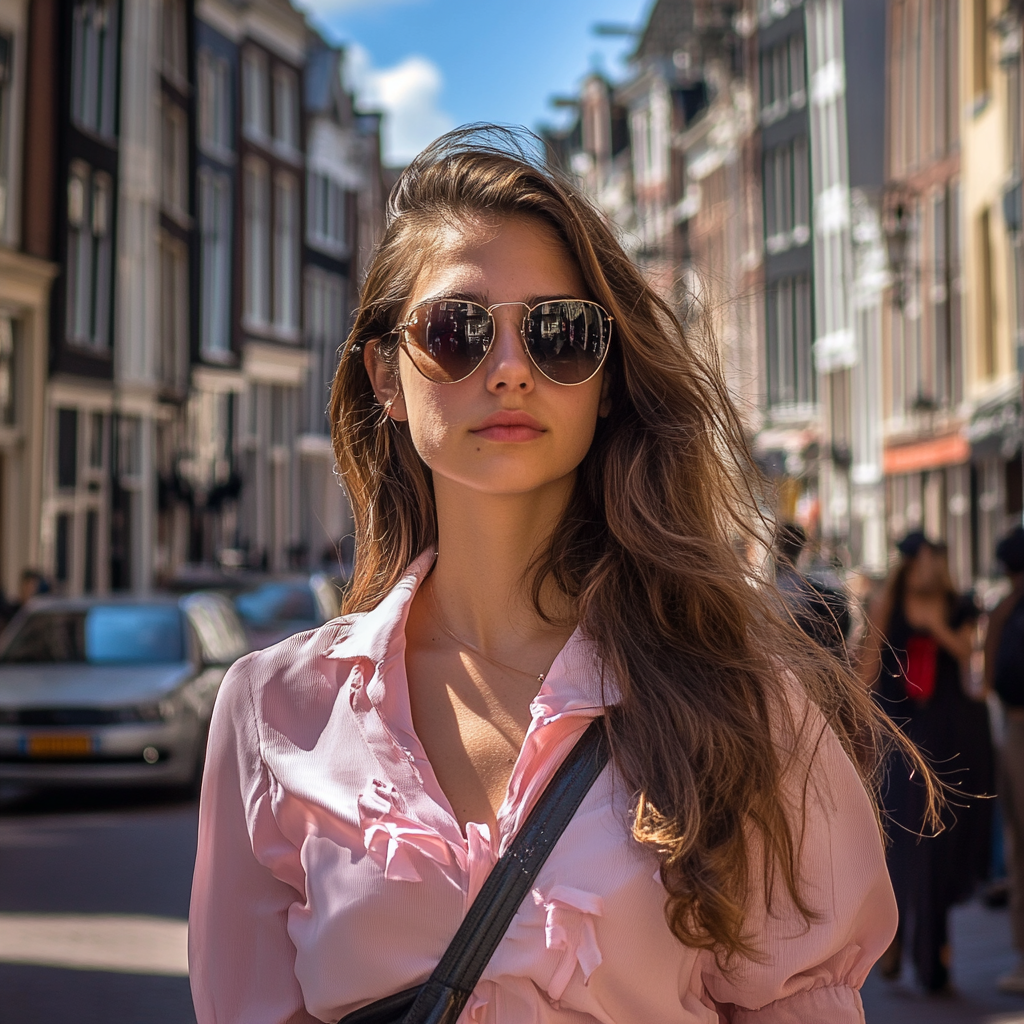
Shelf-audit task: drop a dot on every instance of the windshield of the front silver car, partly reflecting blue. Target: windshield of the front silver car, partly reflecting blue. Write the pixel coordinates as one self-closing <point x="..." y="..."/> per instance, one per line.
<point x="103" y="635"/>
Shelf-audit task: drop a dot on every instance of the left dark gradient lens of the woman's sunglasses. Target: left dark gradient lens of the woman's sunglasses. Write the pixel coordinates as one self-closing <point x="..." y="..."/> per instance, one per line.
<point x="448" y="340"/>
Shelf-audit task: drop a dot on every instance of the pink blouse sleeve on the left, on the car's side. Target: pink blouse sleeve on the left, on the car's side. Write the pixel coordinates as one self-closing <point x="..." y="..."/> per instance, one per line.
<point x="241" y="959"/>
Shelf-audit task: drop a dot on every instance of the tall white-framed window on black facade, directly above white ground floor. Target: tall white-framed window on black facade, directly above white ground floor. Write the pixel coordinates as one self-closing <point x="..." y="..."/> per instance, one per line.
<point x="90" y="257"/>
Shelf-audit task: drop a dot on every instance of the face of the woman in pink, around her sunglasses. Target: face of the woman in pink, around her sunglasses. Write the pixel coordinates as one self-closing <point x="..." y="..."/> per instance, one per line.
<point x="457" y="429"/>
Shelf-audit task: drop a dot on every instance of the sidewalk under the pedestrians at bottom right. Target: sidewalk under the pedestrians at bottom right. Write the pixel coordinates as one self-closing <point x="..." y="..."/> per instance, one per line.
<point x="983" y="952"/>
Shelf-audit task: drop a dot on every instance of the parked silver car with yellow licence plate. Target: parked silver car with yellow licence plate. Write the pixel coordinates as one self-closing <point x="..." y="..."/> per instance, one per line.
<point x="113" y="692"/>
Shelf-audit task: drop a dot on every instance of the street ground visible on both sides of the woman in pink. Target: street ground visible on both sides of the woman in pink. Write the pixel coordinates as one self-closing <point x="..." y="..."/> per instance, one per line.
<point x="95" y="894"/>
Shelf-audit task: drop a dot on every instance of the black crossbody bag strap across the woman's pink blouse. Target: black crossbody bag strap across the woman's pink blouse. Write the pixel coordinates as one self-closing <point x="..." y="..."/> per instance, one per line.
<point x="443" y="997"/>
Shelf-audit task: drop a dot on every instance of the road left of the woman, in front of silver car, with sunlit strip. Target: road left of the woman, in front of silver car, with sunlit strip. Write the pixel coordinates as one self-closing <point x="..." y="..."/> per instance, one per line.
<point x="92" y="855"/>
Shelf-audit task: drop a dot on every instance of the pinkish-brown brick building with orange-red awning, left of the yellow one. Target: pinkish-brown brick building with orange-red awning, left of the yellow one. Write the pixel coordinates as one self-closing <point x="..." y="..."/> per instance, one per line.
<point x="928" y="484"/>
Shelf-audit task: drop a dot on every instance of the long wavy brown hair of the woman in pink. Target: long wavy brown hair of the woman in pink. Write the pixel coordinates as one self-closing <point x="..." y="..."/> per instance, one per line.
<point x="647" y="549"/>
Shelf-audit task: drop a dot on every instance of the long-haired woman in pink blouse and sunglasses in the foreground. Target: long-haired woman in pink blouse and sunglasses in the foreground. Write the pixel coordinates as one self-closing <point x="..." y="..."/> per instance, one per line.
<point x="546" y="478"/>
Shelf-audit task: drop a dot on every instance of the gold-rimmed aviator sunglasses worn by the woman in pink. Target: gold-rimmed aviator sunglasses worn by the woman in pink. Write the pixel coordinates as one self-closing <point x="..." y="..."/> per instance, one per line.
<point x="567" y="339"/>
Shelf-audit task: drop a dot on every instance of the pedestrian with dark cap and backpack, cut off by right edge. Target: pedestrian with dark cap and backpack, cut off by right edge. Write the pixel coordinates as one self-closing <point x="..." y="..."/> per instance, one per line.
<point x="1005" y="675"/>
